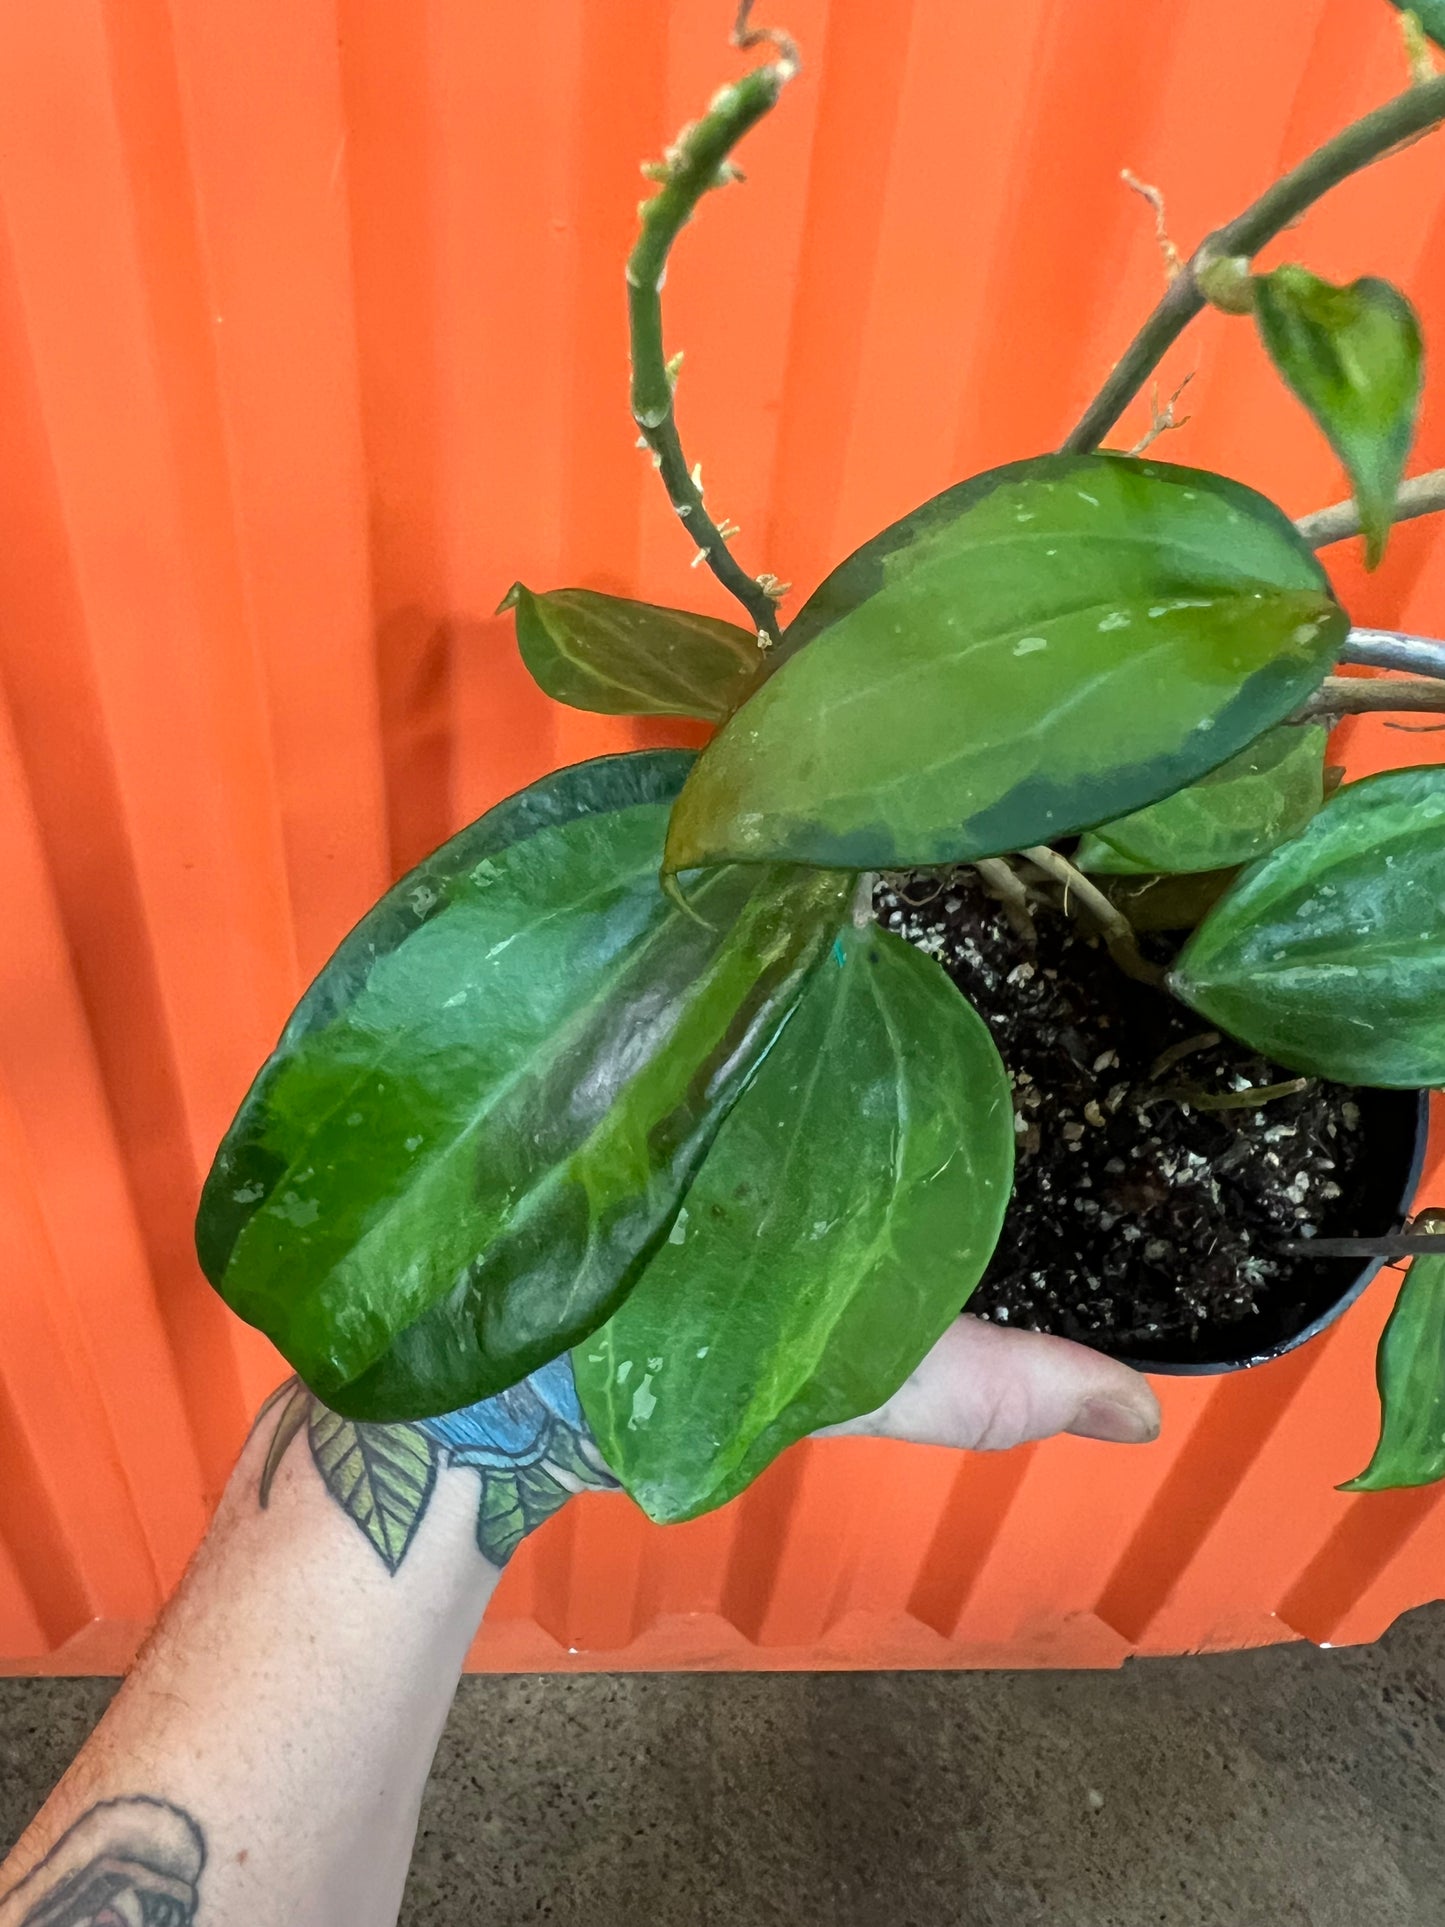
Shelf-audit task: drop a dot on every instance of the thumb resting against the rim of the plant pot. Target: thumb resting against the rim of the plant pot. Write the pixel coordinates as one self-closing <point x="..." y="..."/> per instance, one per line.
<point x="987" y="1388"/>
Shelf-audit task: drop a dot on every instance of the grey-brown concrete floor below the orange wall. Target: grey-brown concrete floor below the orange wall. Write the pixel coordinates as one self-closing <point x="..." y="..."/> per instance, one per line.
<point x="1282" y="1789"/>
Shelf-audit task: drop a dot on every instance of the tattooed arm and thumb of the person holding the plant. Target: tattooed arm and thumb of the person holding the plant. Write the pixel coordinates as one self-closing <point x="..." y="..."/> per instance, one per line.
<point x="267" y="1758"/>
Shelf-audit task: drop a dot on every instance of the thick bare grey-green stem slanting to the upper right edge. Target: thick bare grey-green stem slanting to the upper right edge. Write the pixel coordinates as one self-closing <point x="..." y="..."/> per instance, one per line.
<point x="1390" y="126"/>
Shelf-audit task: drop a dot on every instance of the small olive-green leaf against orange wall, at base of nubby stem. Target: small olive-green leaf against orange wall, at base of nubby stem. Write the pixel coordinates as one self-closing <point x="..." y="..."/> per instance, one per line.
<point x="629" y="658"/>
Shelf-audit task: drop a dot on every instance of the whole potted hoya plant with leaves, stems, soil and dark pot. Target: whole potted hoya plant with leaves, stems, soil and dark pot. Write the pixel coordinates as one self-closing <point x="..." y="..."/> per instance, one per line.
<point x="1011" y="943"/>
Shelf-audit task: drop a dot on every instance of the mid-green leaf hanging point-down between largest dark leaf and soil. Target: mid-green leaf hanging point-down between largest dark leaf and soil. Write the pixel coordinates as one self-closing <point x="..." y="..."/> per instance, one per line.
<point x="847" y="1209"/>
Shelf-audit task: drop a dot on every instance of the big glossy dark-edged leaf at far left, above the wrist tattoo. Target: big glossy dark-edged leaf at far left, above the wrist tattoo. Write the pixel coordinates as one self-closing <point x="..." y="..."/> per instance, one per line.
<point x="486" y="1109"/>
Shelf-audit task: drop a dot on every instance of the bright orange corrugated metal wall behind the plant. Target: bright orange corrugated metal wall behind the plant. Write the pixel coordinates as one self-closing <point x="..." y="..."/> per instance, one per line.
<point x="311" y="342"/>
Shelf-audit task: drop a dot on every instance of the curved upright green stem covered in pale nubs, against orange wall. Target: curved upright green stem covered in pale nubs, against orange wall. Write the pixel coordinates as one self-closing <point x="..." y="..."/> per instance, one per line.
<point x="696" y="163"/>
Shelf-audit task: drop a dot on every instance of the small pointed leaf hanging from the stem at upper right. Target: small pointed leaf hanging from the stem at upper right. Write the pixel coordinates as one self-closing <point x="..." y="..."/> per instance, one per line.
<point x="1353" y="356"/>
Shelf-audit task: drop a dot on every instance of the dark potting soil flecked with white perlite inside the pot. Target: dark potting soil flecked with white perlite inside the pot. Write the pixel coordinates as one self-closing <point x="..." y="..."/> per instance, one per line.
<point x="1140" y="1223"/>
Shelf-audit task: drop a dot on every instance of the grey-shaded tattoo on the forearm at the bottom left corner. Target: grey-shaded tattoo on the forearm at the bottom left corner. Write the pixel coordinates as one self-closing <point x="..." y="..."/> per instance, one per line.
<point x="122" y="1864"/>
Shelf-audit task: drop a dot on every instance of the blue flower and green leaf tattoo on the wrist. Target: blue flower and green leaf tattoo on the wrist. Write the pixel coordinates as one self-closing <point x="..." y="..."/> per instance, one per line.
<point x="531" y="1448"/>
